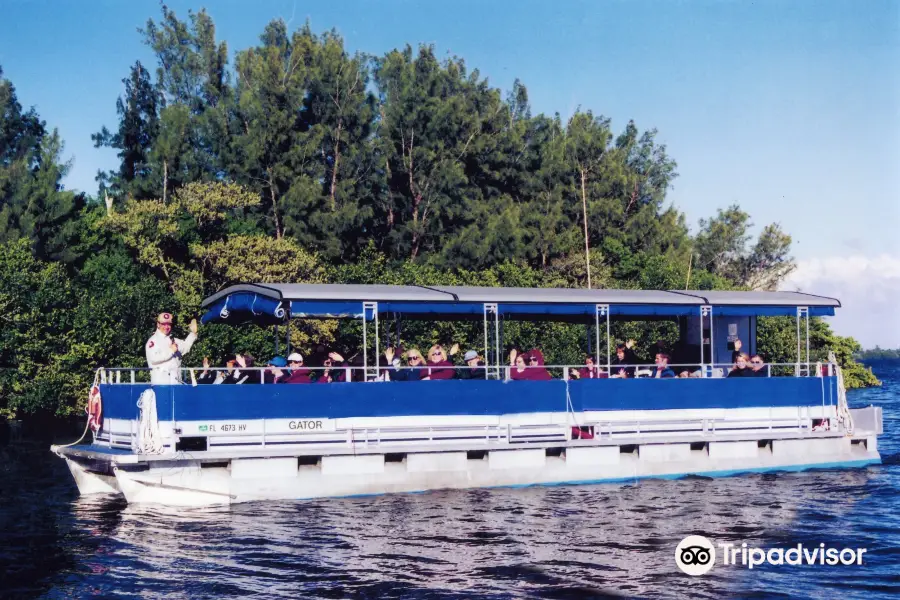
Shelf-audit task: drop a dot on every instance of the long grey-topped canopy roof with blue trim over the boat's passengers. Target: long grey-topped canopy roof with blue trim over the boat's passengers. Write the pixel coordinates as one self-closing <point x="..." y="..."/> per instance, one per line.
<point x="273" y="303"/>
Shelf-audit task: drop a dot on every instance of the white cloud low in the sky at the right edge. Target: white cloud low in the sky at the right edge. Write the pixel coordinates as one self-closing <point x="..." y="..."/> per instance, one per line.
<point x="869" y="291"/>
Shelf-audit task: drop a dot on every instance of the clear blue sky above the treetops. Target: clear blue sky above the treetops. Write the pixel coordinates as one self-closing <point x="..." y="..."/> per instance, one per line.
<point x="790" y="109"/>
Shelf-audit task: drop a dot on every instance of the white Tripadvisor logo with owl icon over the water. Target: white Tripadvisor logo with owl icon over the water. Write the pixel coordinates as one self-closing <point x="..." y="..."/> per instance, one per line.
<point x="696" y="555"/>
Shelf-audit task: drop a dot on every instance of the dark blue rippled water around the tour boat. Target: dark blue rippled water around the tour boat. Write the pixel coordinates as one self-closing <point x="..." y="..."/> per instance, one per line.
<point x="552" y="542"/>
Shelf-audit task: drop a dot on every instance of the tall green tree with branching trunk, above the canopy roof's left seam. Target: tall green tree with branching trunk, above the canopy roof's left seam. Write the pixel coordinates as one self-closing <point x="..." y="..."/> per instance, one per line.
<point x="432" y="116"/>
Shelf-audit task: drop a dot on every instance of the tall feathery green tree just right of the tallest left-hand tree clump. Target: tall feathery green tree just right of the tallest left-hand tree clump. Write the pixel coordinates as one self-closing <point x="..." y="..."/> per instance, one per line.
<point x="304" y="117"/>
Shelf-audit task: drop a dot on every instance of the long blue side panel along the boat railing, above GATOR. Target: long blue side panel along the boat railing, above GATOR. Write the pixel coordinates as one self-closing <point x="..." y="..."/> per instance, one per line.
<point x="455" y="397"/>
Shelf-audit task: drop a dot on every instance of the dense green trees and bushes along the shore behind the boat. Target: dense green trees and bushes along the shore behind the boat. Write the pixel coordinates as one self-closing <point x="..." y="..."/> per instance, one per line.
<point x="300" y="161"/>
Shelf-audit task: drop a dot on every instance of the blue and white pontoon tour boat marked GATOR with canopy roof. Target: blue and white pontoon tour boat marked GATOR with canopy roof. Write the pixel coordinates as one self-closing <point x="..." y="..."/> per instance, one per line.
<point x="189" y="444"/>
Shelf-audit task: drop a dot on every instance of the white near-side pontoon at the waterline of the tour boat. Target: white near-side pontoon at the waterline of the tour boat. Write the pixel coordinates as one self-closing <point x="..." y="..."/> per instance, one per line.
<point x="280" y="478"/>
